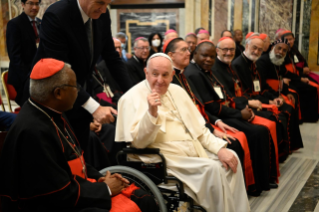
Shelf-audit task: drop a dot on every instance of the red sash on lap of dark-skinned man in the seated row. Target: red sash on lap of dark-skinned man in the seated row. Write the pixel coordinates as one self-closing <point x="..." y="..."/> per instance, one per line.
<point x="272" y="129"/>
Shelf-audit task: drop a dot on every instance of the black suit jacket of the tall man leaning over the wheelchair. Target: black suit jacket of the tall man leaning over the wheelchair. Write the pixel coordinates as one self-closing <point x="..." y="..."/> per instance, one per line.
<point x="63" y="37"/>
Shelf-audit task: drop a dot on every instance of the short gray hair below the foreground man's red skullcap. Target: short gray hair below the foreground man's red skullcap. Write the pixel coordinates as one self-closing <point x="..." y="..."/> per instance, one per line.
<point x="40" y="89"/>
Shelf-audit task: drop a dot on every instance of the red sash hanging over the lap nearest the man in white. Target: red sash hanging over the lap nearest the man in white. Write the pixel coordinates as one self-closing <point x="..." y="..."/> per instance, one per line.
<point x="249" y="174"/>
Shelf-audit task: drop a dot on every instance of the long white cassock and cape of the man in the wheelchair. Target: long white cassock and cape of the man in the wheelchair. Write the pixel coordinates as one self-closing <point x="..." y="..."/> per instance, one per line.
<point x="189" y="148"/>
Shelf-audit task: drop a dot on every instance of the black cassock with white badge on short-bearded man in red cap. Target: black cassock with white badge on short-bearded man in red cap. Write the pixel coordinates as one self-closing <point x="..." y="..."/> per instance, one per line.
<point x="248" y="72"/>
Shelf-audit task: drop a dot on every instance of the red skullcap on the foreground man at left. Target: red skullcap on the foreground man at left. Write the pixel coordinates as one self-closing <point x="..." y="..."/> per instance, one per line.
<point x="45" y="68"/>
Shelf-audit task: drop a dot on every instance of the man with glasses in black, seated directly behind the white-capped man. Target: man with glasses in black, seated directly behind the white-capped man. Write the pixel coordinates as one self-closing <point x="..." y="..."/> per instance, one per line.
<point x="136" y="65"/>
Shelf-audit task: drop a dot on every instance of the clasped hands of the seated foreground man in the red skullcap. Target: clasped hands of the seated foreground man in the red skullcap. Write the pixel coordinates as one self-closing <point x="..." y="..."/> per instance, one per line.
<point x="115" y="182"/>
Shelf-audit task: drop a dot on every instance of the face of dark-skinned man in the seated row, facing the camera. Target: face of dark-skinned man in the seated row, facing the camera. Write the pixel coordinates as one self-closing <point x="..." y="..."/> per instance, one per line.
<point x="205" y="56"/>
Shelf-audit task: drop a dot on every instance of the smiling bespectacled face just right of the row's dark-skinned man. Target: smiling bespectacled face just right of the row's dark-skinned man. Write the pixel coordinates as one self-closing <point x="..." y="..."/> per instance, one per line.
<point x="226" y="51"/>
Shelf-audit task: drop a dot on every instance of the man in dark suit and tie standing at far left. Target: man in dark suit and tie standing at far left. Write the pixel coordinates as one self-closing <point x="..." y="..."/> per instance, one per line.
<point x="22" y="39"/>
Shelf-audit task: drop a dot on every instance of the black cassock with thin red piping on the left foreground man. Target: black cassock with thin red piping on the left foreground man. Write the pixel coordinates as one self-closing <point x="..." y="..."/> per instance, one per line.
<point x="35" y="174"/>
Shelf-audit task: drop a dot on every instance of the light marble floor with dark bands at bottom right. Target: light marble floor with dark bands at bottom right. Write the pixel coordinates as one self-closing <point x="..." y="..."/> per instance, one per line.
<point x="298" y="189"/>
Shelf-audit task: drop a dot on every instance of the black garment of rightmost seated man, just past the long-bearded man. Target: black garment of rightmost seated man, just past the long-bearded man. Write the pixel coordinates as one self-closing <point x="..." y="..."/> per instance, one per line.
<point x="308" y="95"/>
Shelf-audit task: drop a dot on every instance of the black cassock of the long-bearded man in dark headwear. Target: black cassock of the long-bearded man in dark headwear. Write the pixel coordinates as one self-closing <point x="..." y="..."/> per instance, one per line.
<point x="267" y="71"/>
